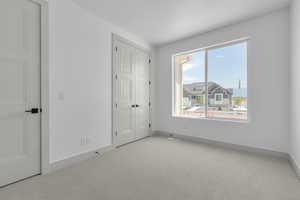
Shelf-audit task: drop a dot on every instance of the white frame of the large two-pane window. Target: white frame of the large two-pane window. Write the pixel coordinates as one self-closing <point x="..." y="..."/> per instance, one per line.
<point x="206" y="49"/>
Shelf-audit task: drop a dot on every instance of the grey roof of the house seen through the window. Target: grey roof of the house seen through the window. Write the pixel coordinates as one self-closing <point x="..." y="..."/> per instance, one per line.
<point x="199" y="88"/>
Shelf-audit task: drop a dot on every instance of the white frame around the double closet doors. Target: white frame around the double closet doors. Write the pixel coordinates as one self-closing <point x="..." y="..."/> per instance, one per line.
<point x="116" y="37"/>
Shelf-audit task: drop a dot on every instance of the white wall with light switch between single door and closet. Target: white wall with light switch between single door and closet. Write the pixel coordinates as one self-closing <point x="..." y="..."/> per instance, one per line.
<point x="80" y="79"/>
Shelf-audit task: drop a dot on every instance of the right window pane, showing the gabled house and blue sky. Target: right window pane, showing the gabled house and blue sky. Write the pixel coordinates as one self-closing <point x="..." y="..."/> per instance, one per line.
<point x="227" y="82"/>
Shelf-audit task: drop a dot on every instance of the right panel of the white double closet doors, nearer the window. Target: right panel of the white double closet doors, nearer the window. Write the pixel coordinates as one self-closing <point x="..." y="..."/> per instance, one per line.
<point x="142" y="93"/>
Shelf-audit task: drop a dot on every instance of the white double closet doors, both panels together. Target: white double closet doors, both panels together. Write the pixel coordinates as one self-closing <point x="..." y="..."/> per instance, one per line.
<point x="131" y="93"/>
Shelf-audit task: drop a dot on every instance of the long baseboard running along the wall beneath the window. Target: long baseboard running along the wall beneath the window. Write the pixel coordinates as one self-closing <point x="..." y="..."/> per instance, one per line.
<point x="225" y="144"/>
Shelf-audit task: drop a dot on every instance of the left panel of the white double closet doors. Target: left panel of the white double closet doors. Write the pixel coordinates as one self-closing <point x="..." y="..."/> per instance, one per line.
<point x="124" y="94"/>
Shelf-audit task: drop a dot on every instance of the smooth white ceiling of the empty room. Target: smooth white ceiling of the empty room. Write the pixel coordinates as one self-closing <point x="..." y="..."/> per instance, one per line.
<point x="162" y="21"/>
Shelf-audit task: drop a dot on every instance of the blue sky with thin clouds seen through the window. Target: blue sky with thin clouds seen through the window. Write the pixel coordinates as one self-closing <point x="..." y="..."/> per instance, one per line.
<point x="226" y="66"/>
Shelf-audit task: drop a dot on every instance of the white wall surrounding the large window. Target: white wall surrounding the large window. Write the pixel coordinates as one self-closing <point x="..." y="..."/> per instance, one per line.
<point x="268" y="85"/>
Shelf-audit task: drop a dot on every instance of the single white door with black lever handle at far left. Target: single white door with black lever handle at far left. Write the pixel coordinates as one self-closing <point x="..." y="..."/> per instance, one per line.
<point x="19" y="90"/>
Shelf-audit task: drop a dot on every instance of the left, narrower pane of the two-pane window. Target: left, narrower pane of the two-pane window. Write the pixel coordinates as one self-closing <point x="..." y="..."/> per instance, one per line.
<point x="190" y="84"/>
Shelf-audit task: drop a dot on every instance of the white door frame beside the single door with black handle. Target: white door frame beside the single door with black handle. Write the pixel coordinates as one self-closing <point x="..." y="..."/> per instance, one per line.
<point x="44" y="86"/>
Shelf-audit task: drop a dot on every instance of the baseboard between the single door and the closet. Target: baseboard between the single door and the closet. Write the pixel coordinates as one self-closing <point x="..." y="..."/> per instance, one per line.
<point x="79" y="158"/>
